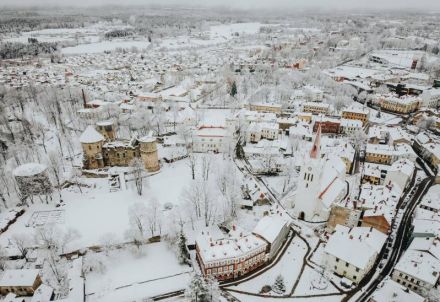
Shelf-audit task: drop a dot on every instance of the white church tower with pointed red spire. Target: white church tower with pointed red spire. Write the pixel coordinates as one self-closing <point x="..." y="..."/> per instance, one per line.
<point x="307" y="205"/>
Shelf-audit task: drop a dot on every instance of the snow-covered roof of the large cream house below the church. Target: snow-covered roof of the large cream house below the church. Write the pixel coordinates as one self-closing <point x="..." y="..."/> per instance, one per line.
<point x="356" y="246"/>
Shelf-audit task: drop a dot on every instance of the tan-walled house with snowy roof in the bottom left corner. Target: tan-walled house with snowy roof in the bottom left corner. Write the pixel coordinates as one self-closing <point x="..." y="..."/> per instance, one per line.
<point x="22" y="282"/>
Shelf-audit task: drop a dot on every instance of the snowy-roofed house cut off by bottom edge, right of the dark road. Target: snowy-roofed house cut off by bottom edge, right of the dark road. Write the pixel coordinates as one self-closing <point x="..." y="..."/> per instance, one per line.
<point x="390" y="290"/>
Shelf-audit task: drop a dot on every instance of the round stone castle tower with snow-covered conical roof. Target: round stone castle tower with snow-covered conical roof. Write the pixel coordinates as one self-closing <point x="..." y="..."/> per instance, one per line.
<point x="91" y="142"/>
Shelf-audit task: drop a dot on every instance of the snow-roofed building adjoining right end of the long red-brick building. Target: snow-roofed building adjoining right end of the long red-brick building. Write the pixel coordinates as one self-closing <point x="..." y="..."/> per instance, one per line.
<point x="274" y="230"/>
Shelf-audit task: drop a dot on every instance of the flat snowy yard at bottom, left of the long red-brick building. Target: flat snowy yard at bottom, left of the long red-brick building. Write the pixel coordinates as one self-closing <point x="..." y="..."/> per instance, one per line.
<point x="156" y="272"/>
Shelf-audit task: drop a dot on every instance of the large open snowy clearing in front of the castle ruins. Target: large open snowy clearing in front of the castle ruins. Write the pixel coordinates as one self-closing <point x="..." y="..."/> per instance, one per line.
<point x="98" y="212"/>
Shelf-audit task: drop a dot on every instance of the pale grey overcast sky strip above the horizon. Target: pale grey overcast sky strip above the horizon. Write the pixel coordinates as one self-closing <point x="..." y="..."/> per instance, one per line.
<point x="427" y="5"/>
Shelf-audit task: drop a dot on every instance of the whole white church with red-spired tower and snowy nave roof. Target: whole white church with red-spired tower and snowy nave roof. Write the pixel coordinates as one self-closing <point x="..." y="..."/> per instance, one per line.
<point x="321" y="183"/>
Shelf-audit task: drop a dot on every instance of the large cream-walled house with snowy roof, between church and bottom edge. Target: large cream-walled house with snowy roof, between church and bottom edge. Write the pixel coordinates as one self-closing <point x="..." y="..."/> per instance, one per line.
<point x="351" y="253"/>
